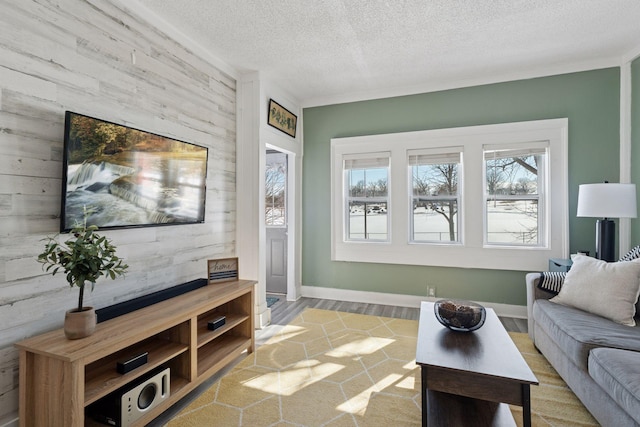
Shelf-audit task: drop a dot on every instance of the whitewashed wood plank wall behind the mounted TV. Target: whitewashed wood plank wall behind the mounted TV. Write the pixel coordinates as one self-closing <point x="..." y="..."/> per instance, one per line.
<point x="96" y="58"/>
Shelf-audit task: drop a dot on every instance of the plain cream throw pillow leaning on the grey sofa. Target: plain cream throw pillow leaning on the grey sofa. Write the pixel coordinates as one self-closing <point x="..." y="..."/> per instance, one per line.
<point x="607" y="289"/>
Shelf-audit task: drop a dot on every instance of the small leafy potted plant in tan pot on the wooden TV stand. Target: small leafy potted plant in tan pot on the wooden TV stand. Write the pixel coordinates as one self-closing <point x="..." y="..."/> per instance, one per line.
<point x="84" y="257"/>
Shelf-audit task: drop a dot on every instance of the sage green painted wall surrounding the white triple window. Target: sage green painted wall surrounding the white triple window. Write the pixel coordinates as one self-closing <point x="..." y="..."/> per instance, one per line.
<point x="589" y="99"/>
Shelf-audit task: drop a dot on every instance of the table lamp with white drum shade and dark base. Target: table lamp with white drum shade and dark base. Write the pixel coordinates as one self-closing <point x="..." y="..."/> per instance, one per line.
<point x="606" y="200"/>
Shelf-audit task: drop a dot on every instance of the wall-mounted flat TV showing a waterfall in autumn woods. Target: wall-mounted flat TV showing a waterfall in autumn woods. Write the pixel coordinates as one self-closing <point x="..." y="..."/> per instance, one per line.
<point x="129" y="178"/>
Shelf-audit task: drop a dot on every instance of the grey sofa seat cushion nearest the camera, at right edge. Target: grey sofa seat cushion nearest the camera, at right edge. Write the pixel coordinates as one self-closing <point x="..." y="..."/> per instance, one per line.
<point x="618" y="373"/>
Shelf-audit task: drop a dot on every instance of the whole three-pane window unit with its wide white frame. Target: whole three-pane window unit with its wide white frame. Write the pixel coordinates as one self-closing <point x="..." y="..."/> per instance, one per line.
<point x="473" y="197"/>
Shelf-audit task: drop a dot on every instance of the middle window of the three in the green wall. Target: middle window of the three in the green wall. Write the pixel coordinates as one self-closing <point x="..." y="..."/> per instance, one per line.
<point x="435" y="199"/>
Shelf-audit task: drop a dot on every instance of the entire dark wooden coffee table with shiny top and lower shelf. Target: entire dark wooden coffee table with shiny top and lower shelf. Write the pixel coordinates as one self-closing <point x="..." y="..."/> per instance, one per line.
<point x="470" y="378"/>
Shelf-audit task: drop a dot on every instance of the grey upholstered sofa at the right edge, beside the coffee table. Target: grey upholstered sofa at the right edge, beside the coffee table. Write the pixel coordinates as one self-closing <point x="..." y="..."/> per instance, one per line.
<point x="597" y="358"/>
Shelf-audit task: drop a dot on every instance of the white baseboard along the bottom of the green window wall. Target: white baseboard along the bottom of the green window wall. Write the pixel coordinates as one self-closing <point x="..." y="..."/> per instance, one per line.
<point x="401" y="300"/>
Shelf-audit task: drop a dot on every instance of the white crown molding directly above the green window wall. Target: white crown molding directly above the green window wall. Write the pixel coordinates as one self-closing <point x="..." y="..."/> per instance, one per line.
<point x="436" y="86"/>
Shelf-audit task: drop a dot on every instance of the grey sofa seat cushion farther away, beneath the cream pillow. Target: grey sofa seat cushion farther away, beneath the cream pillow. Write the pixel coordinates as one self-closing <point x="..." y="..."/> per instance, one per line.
<point x="577" y="332"/>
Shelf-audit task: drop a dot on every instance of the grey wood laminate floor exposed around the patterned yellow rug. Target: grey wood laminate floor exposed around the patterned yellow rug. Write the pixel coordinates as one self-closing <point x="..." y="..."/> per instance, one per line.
<point x="283" y="311"/>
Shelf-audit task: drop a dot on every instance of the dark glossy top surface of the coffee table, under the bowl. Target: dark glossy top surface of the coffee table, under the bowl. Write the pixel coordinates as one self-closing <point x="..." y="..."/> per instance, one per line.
<point x="486" y="351"/>
